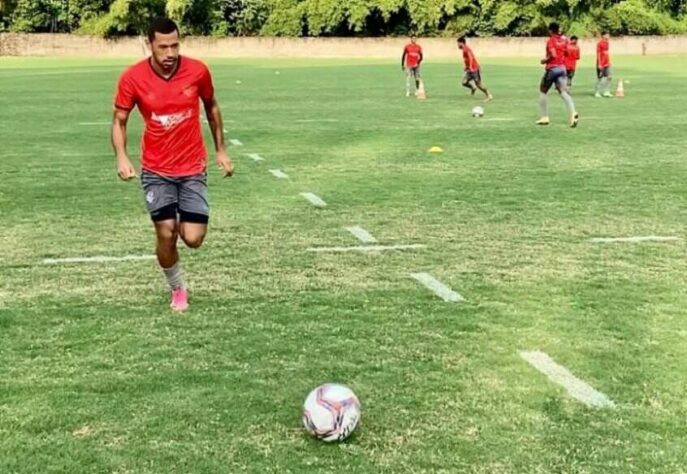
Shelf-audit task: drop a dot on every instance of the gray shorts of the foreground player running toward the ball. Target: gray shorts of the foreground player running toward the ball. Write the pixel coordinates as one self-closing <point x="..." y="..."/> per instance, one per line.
<point x="186" y="196"/>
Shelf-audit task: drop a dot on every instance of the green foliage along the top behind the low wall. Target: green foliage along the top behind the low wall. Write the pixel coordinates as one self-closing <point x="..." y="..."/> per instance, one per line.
<point x="349" y="17"/>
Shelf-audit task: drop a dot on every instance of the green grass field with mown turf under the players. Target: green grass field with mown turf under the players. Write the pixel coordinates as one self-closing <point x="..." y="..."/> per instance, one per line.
<point x="97" y="376"/>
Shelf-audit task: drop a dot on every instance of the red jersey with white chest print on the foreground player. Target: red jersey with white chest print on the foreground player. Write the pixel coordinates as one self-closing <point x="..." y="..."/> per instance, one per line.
<point x="172" y="143"/>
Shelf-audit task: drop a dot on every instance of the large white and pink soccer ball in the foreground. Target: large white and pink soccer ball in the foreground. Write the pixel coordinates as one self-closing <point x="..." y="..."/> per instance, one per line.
<point x="331" y="412"/>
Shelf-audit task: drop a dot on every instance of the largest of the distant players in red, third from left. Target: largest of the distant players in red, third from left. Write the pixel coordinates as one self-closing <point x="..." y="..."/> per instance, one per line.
<point x="556" y="46"/>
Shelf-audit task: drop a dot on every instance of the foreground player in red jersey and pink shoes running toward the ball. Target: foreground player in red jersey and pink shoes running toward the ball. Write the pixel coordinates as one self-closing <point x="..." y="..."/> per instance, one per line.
<point x="167" y="89"/>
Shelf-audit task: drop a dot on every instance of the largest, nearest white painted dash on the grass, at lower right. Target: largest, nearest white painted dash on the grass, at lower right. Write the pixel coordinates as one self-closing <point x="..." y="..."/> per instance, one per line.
<point x="558" y="374"/>
